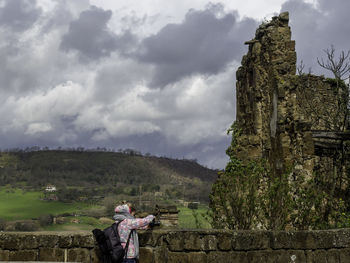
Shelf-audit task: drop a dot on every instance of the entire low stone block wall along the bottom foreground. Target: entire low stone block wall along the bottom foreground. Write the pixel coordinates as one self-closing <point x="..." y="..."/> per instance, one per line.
<point x="332" y="246"/>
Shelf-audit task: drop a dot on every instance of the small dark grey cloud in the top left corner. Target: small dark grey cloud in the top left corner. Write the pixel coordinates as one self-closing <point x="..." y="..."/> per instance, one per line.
<point x="18" y="15"/>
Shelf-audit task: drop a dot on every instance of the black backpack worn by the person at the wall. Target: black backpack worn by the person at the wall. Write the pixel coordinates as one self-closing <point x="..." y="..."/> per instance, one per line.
<point x="108" y="241"/>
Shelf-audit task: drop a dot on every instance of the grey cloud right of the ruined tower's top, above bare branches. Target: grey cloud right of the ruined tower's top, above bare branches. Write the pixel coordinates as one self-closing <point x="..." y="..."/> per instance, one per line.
<point x="316" y="28"/>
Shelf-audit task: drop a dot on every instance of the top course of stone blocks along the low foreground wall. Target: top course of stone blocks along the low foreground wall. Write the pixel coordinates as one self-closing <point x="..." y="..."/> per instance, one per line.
<point x="189" y="239"/>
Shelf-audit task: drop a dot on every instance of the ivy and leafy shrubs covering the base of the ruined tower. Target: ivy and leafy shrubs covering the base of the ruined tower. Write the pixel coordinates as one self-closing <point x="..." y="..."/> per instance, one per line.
<point x="247" y="195"/>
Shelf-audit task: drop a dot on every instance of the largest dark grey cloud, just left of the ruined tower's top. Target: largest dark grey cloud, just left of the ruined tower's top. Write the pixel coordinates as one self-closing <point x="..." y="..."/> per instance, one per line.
<point x="205" y="42"/>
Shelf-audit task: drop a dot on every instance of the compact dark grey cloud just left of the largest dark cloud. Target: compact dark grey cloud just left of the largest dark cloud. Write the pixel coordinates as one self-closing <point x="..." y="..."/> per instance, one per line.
<point x="90" y="35"/>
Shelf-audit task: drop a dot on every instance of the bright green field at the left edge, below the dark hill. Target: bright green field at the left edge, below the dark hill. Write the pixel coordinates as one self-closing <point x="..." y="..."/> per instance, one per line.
<point x="17" y="204"/>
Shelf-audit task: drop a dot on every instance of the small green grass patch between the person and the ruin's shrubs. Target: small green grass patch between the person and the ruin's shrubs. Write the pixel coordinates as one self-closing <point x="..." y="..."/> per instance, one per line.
<point x="187" y="217"/>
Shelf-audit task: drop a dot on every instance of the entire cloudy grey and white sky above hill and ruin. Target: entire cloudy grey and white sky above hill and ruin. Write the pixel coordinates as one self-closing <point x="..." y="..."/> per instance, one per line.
<point x="151" y="75"/>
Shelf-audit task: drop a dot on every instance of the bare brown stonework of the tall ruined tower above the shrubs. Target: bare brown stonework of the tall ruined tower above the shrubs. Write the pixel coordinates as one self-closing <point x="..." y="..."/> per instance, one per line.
<point x="278" y="110"/>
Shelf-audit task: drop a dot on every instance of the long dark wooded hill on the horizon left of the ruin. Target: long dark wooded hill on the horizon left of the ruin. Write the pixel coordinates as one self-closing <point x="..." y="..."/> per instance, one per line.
<point x="106" y="170"/>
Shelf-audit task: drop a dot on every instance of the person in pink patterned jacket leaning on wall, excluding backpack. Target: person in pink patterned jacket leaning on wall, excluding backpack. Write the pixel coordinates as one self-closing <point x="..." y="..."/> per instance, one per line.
<point x="125" y="216"/>
